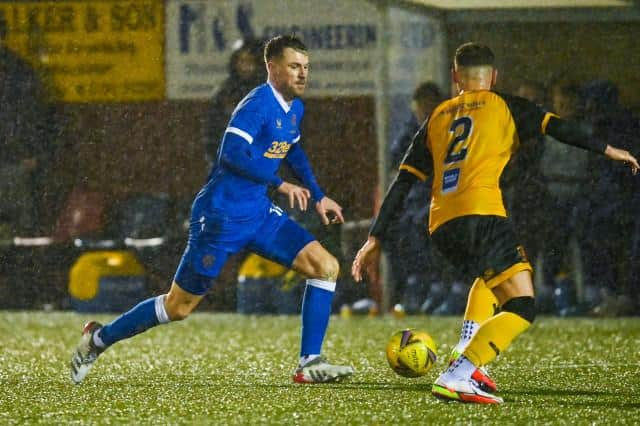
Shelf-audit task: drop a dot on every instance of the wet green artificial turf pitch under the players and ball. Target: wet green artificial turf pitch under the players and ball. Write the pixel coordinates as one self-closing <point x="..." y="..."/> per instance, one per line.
<point x="232" y="369"/>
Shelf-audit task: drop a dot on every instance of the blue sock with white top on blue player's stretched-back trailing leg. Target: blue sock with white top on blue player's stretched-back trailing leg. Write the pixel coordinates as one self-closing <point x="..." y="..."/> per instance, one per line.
<point x="141" y="317"/>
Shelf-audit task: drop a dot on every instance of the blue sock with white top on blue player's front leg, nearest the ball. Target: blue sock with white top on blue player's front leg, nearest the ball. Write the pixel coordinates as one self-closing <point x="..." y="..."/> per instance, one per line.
<point x="316" y="309"/>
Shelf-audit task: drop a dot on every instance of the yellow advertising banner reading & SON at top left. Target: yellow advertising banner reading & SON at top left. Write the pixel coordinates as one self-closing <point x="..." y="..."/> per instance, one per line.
<point x="93" y="50"/>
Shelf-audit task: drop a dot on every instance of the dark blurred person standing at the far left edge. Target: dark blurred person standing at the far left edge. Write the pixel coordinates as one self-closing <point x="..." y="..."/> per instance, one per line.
<point x="26" y="124"/>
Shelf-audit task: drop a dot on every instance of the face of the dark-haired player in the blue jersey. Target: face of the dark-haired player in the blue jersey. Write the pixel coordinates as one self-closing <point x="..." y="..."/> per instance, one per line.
<point x="289" y="73"/>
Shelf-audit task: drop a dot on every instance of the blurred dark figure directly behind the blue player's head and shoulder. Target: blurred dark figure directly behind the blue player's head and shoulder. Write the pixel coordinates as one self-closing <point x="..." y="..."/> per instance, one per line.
<point x="246" y="71"/>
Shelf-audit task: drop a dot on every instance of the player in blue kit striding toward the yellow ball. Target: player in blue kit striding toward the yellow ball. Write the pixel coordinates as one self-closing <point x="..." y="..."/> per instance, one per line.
<point x="233" y="212"/>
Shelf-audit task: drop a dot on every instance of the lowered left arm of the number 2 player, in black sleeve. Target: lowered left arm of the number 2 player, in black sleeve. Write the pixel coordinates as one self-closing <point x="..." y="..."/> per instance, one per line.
<point x="416" y="165"/>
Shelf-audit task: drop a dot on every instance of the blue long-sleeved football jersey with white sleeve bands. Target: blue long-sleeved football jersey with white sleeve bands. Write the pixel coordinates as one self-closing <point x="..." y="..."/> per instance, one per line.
<point x="262" y="130"/>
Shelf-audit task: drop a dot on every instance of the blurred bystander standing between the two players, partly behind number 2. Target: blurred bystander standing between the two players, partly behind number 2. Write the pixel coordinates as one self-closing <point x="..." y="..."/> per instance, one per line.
<point x="413" y="266"/>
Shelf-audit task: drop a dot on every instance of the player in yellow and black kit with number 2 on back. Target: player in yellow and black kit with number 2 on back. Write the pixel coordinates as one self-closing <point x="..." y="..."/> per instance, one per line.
<point x="465" y="144"/>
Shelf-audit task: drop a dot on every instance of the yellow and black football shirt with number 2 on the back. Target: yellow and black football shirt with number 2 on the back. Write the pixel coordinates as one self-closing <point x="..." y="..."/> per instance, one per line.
<point x="466" y="144"/>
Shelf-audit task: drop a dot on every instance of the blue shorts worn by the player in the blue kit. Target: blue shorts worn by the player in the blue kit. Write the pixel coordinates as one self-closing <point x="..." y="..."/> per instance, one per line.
<point x="213" y="239"/>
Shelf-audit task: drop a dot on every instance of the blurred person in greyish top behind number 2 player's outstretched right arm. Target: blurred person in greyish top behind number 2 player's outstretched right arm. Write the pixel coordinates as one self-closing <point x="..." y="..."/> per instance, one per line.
<point x="564" y="169"/>
